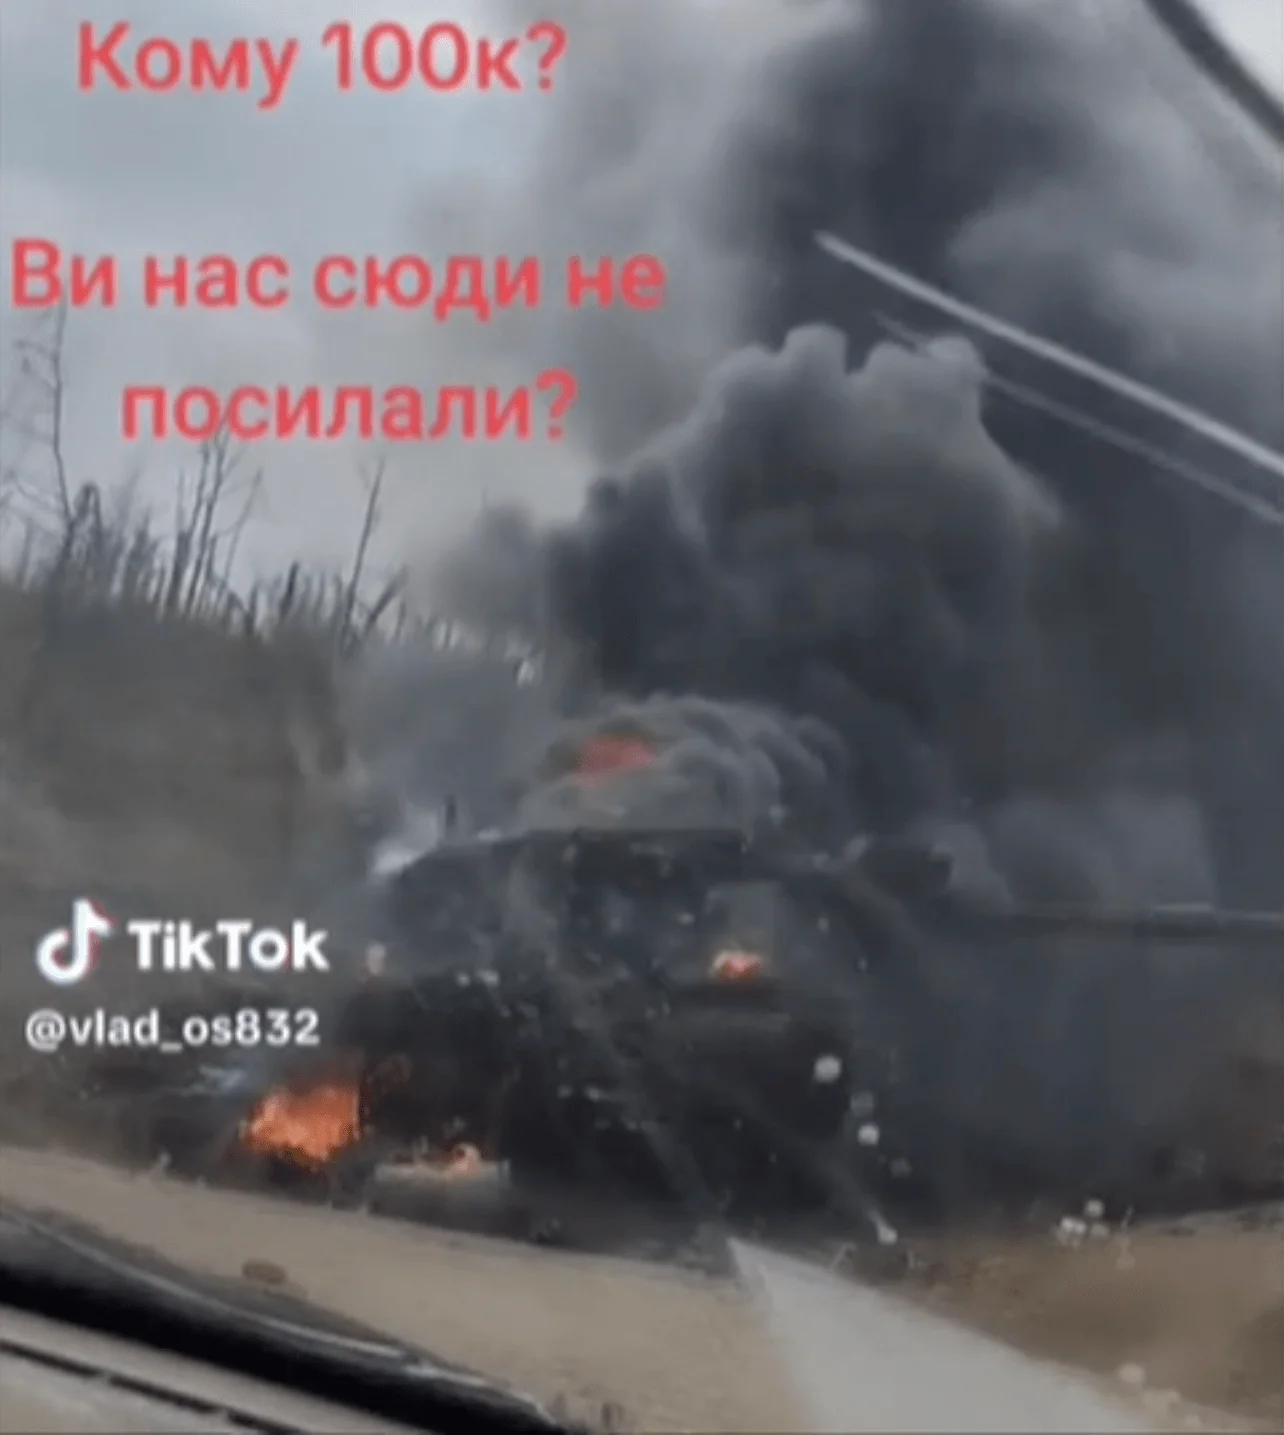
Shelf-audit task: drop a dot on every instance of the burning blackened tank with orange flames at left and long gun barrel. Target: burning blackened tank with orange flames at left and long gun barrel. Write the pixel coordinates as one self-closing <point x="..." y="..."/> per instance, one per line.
<point x="610" y="1011"/>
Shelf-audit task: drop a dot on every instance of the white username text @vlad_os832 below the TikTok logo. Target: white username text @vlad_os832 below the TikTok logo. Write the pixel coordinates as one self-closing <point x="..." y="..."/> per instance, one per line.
<point x="250" y="1028"/>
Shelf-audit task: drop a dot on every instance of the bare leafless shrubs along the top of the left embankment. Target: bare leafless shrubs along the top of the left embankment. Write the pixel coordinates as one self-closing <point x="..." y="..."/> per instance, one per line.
<point x="67" y="542"/>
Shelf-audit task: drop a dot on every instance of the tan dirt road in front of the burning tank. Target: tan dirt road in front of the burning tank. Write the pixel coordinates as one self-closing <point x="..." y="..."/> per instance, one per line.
<point x="1200" y="1314"/>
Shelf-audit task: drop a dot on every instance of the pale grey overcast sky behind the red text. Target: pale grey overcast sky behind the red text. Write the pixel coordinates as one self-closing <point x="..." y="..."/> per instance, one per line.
<point x="325" y="173"/>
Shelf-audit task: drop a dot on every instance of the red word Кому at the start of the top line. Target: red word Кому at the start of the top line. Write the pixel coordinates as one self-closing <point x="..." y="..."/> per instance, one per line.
<point x="161" y="67"/>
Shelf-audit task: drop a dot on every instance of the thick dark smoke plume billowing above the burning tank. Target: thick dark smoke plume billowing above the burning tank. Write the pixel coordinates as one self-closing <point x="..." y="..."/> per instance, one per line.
<point x="854" y="589"/>
